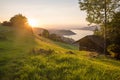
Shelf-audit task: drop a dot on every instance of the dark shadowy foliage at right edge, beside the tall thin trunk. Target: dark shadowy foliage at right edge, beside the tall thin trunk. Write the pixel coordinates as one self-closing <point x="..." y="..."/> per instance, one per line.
<point x="113" y="35"/>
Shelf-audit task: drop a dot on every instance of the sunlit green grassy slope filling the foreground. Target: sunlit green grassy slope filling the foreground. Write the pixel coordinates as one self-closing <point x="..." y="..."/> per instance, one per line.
<point x="18" y="62"/>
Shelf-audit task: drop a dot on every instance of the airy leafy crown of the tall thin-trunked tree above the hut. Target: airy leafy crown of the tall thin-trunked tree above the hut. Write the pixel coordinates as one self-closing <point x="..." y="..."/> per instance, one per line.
<point x="96" y="10"/>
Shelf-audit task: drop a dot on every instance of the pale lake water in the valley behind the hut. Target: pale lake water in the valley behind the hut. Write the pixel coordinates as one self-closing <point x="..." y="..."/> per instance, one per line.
<point x="79" y="34"/>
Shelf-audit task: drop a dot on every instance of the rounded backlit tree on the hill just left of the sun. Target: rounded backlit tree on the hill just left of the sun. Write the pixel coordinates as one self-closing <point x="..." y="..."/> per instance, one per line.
<point x="19" y="20"/>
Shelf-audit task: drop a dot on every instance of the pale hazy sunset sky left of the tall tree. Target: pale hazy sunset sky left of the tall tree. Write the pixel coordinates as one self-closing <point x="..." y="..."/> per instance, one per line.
<point x="46" y="12"/>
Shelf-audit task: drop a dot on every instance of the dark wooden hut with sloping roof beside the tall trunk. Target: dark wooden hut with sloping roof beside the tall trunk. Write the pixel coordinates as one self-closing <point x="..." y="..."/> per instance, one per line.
<point x="91" y="43"/>
